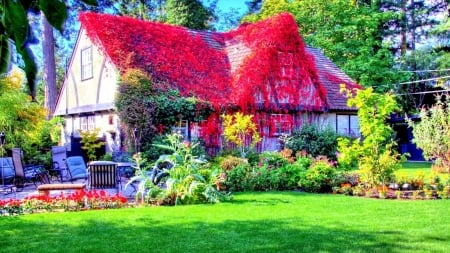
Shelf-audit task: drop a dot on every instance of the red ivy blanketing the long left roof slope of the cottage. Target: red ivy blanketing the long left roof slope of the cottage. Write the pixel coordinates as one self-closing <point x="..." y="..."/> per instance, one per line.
<point x="169" y="53"/>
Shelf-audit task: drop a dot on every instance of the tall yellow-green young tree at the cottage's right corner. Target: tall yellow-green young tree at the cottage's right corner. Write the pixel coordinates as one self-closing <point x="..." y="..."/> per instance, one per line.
<point x="375" y="154"/>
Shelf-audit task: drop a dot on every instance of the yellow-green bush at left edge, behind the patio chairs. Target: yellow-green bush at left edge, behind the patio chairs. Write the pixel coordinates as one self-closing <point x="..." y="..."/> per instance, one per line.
<point x="24" y="122"/>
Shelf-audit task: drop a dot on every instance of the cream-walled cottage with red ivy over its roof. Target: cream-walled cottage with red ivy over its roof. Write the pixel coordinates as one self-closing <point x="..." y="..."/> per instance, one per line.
<point x="262" y="68"/>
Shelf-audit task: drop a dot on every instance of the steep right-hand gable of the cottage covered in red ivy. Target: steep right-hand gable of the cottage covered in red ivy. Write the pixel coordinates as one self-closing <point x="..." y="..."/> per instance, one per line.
<point x="275" y="66"/>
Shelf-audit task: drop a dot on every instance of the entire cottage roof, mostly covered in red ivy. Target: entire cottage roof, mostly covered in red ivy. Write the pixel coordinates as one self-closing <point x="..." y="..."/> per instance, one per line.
<point x="235" y="67"/>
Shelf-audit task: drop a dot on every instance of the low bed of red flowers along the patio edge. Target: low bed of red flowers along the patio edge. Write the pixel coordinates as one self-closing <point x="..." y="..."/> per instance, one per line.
<point x="77" y="201"/>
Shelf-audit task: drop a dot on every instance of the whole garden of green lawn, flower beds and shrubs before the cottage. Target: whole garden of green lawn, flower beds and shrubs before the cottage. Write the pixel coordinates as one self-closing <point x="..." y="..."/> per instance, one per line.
<point x="321" y="192"/>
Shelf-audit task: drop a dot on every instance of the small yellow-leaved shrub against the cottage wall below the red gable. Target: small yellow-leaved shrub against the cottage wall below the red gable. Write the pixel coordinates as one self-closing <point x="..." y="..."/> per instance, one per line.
<point x="240" y="130"/>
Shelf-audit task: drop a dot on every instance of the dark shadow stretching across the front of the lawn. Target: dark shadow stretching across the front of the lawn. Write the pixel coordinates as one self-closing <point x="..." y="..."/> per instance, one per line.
<point x="149" y="233"/>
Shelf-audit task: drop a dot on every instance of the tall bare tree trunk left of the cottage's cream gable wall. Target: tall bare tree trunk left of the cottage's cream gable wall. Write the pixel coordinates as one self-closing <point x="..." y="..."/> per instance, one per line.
<point x="49" y="72"/>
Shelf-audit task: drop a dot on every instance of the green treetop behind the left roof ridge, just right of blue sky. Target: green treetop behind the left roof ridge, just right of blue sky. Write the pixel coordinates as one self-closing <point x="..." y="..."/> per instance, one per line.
<point x="189" y="13"/>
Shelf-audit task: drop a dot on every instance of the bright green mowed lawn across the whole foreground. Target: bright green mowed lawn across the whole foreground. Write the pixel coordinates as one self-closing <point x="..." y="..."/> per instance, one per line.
<point x="253" y="222"/>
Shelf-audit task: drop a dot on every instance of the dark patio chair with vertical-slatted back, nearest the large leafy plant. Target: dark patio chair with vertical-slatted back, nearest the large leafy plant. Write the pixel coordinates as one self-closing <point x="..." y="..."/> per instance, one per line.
<point x="103" y="175"/>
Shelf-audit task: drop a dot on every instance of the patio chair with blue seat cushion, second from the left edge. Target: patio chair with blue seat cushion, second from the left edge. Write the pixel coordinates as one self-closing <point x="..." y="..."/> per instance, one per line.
<point x="27" y="173"/>
